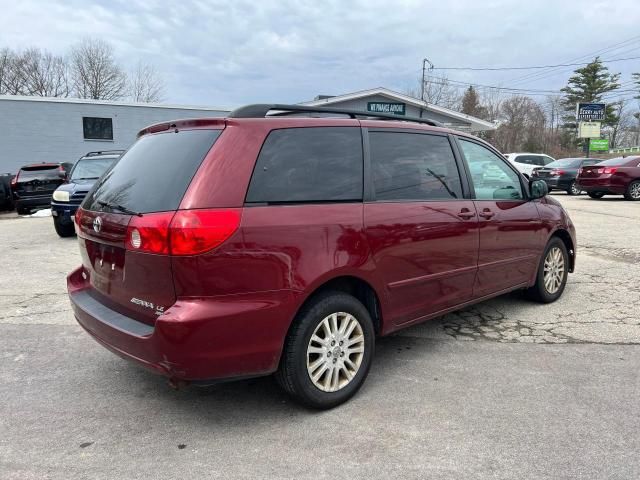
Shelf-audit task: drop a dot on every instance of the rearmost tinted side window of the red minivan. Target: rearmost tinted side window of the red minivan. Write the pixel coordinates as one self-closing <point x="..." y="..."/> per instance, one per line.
<point x="315" y="164"/>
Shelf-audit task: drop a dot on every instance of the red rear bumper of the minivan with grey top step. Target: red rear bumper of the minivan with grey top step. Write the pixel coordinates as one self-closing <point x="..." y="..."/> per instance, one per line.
<point x="196" y="339"/>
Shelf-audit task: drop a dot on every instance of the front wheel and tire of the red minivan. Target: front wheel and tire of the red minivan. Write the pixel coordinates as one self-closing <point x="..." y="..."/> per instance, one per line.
<point x="553" y="271"/>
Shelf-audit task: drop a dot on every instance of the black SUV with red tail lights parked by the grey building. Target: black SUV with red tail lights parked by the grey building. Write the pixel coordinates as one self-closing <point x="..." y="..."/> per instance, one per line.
<point x="34" y="185"/>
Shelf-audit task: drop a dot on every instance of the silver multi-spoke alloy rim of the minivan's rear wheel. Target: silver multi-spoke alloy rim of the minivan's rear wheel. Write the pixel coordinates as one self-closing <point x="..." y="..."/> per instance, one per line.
<point x="335" y="351"/>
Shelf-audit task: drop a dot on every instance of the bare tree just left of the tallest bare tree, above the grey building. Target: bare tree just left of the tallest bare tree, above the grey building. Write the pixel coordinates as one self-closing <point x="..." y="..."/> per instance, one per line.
<point x="44" y="74"/>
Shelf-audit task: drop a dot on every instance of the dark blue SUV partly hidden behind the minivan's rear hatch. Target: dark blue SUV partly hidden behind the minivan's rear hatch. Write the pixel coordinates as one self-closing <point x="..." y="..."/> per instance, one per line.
<point x="68" y="196"/>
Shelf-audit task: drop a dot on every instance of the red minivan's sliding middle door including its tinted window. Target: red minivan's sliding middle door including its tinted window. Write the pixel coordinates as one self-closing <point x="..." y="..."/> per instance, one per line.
<point x="422" y="232"/>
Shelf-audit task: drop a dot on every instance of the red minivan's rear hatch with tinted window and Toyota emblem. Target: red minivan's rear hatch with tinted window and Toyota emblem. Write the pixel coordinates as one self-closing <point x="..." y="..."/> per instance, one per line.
<point x="150" y="180"/>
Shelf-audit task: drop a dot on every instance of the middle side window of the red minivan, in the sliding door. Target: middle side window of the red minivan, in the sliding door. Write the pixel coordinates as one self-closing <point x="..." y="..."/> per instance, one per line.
<point x="413" y="166"/>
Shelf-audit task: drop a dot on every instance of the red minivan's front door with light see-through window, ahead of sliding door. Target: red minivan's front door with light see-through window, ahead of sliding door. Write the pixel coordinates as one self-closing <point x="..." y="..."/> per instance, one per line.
<point x="511" y="233"/>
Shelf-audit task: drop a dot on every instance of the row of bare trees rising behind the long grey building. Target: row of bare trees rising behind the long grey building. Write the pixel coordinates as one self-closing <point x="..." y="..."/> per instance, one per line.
<point x="88" y="70"/>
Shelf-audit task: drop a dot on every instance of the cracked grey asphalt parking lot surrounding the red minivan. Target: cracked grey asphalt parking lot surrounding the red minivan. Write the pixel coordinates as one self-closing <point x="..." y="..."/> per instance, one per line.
<point x="504" y="389"/>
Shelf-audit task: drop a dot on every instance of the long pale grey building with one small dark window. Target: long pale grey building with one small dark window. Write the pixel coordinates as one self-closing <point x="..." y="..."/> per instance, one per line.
<point x="39" y="129"/>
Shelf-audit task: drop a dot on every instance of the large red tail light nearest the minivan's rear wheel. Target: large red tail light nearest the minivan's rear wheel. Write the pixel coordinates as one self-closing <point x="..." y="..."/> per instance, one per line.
<point x="186" y="232"/>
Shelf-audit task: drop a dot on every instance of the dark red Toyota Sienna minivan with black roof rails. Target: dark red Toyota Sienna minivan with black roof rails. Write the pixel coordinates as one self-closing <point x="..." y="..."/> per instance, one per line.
<point x="272" y="241"/>
